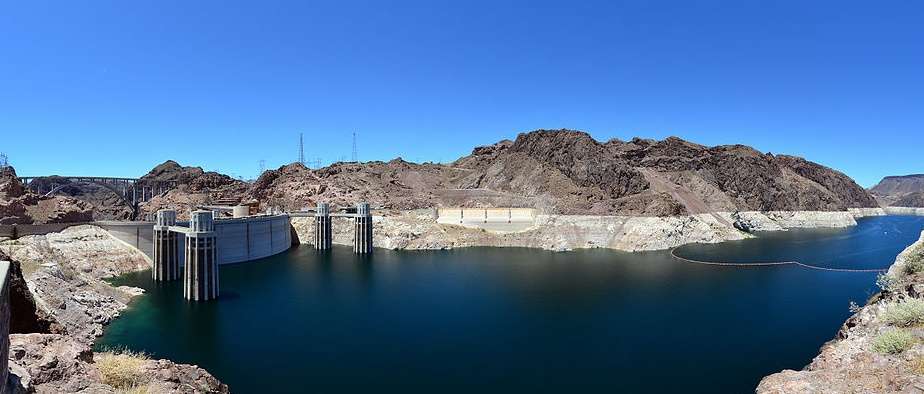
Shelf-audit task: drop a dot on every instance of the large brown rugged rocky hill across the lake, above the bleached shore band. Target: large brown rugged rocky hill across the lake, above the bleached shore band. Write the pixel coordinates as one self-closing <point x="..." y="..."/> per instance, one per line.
<point x="565" y="171"/>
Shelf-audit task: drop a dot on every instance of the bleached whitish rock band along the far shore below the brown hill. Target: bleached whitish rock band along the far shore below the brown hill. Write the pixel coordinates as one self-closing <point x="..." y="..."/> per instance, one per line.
<point x="420" y="230"/>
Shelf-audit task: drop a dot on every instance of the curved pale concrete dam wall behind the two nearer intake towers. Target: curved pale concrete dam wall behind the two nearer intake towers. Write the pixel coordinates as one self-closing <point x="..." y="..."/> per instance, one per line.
<point x="238" y="240"/>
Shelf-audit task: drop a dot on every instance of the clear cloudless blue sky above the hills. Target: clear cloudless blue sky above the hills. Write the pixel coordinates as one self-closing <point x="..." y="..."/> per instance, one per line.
<point x="113" y="88"/>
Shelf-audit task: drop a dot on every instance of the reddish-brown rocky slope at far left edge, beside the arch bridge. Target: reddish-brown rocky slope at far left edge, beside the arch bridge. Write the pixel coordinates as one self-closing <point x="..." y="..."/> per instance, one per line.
<point x="19" y="206"/>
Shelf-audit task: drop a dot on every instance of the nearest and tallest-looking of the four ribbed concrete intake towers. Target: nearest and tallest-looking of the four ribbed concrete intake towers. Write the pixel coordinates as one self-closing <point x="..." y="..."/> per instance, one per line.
<point x="200" y="282"/>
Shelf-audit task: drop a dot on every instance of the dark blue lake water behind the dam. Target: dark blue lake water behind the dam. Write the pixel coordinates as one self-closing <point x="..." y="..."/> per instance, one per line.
<point x="514" y="320"/>
